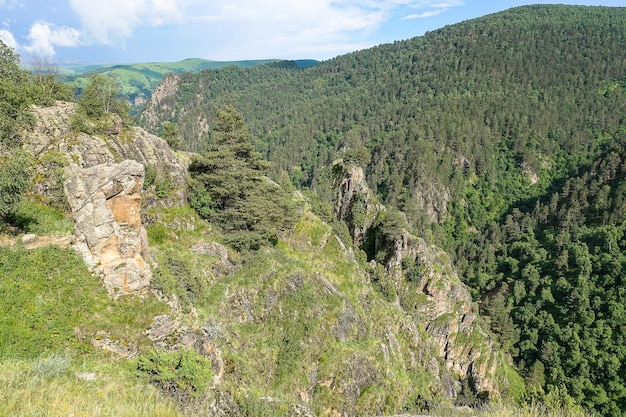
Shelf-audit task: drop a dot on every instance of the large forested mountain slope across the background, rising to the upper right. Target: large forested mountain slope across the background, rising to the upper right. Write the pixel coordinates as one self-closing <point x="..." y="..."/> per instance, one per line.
<point x="499" y="97"/>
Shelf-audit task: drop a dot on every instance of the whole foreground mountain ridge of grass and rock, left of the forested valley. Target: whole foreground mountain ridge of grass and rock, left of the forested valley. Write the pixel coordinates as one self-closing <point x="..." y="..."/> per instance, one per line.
<point x="303" y="326"/>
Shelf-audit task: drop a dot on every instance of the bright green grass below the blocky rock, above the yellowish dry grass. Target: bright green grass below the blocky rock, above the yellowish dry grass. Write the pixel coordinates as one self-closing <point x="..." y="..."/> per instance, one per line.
<point x="51" y="302"/>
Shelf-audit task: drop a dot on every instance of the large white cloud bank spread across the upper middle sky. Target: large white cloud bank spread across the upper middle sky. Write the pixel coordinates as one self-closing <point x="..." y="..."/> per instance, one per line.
<point x="252" y="28"/>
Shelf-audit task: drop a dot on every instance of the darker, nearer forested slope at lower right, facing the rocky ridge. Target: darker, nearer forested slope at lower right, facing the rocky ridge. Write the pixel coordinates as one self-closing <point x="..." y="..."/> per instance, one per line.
<point x="552" y="275"/>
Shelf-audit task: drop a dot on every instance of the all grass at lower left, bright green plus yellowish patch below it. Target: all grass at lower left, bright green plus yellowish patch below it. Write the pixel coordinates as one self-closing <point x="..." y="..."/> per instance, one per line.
<point x="51" y="307"/>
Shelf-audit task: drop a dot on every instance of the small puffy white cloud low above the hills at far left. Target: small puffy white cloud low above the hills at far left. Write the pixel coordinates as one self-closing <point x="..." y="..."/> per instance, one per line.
<point x="44" y="37"/>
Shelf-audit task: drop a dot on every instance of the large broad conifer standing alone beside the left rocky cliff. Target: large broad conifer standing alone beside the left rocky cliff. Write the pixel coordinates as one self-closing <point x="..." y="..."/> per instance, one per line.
<point x="229" y="186"/>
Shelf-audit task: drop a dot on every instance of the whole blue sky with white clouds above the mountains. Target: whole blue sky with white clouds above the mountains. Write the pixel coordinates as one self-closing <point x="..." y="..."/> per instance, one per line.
<point x="85" y="32"/>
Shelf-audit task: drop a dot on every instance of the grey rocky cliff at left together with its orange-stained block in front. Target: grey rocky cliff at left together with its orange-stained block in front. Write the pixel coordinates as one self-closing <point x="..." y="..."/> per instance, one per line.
<point x="103" y="181"/>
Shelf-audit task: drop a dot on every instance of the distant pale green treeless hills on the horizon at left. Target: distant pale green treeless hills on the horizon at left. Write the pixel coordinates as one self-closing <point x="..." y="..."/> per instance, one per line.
<point x="137" y="81"/>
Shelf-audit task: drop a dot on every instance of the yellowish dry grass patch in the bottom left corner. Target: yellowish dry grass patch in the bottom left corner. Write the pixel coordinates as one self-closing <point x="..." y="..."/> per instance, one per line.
<point x="53" y="386"/>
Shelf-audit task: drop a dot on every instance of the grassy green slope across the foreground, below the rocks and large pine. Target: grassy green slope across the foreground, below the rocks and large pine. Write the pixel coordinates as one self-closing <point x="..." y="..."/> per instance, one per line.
<point x="283" y="317"/>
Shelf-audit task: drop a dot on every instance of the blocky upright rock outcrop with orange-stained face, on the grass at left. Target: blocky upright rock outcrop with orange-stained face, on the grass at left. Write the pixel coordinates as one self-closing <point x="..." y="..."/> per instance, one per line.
<point x="105" y="201"/>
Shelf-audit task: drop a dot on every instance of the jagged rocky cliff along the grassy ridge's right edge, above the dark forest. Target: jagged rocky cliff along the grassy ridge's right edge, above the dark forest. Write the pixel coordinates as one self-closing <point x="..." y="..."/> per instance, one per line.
<point x="444" y="303"/>
